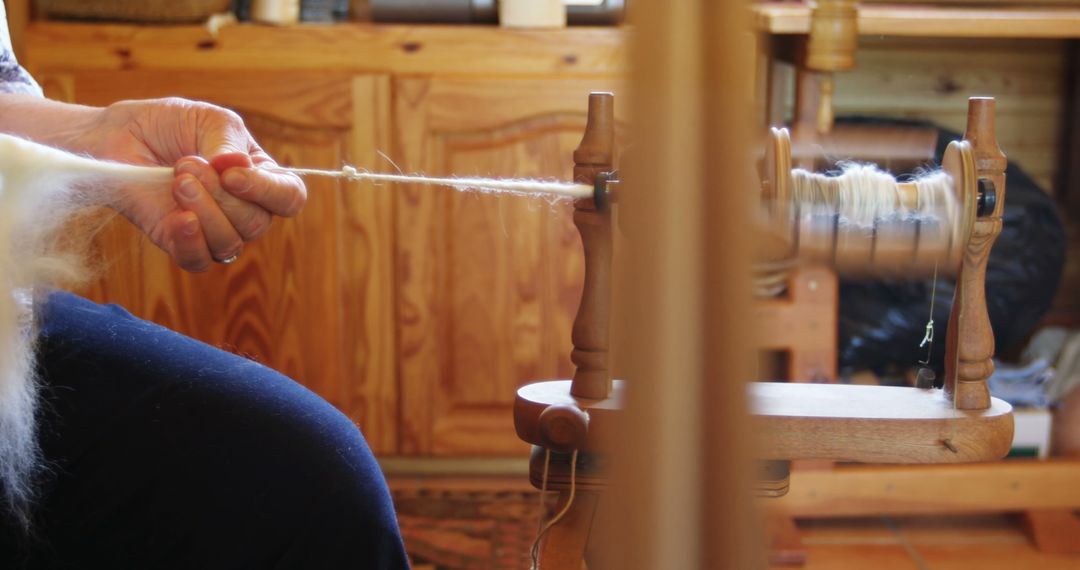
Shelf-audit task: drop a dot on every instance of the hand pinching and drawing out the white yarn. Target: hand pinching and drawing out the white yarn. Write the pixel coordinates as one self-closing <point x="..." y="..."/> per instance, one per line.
<point x="222" y="195"/>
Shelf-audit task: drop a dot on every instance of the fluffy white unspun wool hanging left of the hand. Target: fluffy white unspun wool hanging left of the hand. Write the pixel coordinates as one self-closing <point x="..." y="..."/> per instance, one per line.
<point x="42" y="188"/>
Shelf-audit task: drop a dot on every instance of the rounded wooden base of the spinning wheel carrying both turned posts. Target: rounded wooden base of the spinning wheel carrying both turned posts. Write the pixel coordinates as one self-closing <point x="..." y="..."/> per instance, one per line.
<point x="866" y="425"/>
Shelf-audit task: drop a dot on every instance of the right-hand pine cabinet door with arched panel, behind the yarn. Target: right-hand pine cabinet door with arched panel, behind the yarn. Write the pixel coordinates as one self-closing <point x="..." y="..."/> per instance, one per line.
<point x="489" y="284"/>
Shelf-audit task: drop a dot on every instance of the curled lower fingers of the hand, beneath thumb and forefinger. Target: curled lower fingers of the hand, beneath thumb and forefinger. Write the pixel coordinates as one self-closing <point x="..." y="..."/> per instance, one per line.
<point x="246" y="220"/>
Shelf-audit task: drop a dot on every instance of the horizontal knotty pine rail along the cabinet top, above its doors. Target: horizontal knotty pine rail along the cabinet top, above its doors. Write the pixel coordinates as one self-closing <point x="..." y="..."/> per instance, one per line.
<point x="354" y="48"/>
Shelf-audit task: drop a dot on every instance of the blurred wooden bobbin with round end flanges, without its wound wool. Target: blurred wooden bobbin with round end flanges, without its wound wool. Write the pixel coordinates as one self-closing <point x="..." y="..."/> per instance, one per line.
<point x="897" y="250"/>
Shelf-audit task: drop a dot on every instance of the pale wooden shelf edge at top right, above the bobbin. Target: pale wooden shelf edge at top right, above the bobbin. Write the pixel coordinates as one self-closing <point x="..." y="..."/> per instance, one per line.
<point x="931" y="22"/>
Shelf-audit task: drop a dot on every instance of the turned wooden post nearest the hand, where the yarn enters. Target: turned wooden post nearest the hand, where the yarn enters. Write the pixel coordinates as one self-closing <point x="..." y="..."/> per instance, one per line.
<point x="592" y="378"/>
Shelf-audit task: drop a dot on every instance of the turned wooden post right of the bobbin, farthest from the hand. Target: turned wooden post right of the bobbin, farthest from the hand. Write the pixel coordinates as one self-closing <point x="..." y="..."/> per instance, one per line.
<point x="969" y="349"/>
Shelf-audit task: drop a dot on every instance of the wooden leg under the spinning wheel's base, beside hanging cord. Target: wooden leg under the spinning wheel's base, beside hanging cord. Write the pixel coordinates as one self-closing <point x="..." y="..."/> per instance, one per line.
<point x="563" y="548"/>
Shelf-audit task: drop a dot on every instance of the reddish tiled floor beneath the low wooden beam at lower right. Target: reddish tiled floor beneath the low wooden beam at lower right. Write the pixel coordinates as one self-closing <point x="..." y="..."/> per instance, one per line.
<point x="995" y="542"/>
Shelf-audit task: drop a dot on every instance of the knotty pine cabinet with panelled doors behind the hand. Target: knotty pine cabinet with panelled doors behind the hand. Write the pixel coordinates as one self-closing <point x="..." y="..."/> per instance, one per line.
<point x="417" y="311"/>
